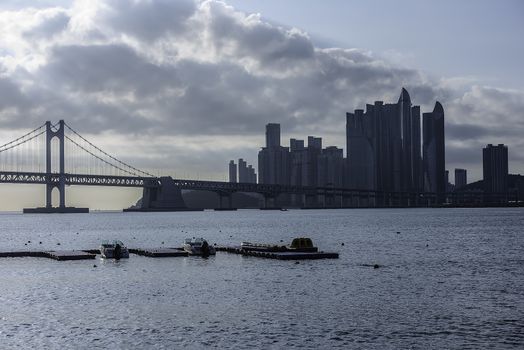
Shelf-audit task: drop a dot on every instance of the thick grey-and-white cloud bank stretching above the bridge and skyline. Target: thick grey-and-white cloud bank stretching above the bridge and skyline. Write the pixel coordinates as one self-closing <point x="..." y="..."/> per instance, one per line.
<point x="199" y="70"/>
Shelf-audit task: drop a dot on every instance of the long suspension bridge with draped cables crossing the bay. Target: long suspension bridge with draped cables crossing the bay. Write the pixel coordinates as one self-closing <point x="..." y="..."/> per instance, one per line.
<point x="57" y="156"/>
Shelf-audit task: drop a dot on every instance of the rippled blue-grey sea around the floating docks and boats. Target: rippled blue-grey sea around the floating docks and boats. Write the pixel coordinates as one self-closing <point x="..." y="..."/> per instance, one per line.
<point x="449" y="279"/>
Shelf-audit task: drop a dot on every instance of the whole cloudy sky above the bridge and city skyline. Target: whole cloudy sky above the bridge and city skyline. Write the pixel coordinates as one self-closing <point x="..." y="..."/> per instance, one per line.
<point x="183" y="86"/>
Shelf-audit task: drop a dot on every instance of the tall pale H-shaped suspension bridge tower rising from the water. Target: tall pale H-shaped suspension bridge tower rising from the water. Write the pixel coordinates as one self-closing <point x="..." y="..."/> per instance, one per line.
<point x="50" y="135"/>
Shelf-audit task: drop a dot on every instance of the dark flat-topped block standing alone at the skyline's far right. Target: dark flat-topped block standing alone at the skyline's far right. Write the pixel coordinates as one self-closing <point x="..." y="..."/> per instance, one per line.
<point x="495" y="168"/>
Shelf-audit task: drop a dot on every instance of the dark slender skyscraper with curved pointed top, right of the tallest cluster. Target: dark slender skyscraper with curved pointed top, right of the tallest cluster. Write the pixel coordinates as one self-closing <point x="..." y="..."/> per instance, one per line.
<point x="434" y="152"/>
